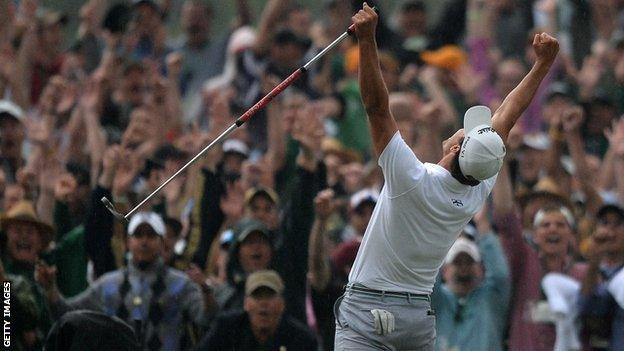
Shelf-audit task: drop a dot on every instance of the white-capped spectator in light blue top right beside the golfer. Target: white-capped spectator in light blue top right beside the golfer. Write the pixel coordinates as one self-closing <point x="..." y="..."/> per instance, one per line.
<point x="471" y="304"/>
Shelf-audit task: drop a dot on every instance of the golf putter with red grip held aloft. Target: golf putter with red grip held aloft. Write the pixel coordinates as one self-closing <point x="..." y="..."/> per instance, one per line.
<point x="239" y="122"/>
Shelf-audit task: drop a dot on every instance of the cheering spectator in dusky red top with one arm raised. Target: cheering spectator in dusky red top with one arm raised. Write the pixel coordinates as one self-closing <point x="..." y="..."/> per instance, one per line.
<point x="548" y="249"/>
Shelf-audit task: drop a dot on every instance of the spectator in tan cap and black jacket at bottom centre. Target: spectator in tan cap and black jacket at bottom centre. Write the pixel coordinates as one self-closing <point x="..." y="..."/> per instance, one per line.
<point x="262" y="325"/>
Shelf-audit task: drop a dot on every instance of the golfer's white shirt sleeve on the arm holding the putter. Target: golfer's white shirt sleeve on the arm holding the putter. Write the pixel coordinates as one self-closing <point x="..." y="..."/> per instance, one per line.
<point x="401" y="168"/>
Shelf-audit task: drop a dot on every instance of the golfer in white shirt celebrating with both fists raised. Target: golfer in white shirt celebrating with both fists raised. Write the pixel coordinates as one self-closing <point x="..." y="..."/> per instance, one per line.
<point x="421" y="208"/>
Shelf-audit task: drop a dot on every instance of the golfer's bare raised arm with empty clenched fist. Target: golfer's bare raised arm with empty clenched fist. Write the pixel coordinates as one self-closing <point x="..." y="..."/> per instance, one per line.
<point x="546" y="48"/>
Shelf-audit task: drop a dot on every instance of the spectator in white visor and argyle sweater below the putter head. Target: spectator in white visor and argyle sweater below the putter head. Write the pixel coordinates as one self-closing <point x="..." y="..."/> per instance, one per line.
<point x="142" y="293"/>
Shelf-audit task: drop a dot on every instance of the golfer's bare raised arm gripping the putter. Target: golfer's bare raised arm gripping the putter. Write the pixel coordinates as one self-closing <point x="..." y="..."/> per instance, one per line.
<point x="372" y="86"/>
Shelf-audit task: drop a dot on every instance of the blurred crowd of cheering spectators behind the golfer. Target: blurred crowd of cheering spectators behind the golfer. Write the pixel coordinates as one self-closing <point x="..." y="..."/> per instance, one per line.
<point x="249" y="248"/>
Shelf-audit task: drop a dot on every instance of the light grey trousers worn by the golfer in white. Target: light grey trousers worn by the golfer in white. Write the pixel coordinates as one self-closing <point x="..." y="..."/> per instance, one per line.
<point x="355" y="324"/>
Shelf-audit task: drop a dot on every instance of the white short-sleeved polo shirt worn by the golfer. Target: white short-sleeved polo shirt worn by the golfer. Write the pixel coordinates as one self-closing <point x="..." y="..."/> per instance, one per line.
<point x="420" y="212"/>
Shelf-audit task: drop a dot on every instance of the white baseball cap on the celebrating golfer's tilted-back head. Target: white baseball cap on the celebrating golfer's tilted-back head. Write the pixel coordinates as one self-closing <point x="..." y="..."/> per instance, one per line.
<point x="482" y="152"/>
